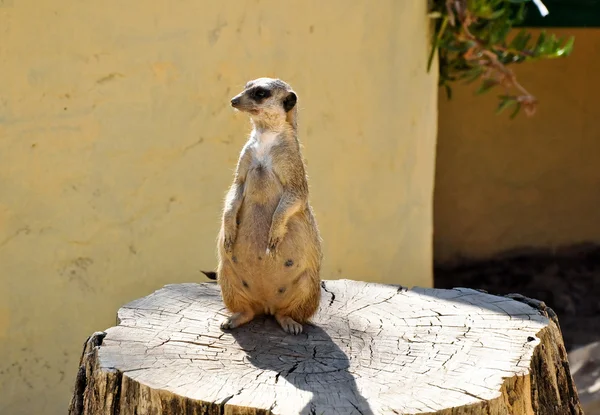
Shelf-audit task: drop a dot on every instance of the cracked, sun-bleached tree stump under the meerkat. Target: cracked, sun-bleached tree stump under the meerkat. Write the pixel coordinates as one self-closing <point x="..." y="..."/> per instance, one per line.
<point x="373" y="349"/>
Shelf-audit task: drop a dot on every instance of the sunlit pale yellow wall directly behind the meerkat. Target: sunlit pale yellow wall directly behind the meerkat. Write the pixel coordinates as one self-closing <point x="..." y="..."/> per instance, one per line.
<point x="118" y="143"/>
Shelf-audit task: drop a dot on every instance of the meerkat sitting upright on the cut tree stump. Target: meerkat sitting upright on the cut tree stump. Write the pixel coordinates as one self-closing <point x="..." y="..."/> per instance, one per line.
<point x="269" y="247"/>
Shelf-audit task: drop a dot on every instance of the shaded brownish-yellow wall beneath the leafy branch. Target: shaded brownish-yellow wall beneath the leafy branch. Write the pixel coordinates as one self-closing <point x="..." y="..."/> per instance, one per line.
<point x="530" y="182"/>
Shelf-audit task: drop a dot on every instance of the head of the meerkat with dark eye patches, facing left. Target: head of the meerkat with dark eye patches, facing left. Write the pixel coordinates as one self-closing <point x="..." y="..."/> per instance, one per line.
<point x="271" y="103"/>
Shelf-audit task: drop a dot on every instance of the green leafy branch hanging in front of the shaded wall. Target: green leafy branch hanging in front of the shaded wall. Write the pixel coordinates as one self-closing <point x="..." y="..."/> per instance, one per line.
<point x="472" y="40"/>
